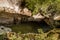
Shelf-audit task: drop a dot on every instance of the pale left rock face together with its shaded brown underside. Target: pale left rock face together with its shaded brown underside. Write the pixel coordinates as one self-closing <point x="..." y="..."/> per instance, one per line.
<point x="10" y="9"/>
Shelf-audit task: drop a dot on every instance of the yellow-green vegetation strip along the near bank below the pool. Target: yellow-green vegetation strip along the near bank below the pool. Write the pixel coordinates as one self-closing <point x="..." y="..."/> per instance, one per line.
<point x="51" y="35"/>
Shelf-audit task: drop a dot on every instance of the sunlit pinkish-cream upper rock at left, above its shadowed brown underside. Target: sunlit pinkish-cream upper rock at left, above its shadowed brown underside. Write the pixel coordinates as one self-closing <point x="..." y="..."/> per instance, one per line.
<point x="13" y="6"/>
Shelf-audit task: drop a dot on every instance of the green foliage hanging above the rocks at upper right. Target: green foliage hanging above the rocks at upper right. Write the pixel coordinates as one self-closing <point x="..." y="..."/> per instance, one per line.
<point x="36" y="5"/>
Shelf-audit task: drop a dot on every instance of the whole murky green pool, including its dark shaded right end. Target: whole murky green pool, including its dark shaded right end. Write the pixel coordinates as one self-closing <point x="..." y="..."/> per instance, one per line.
<point x="32" y="27"/>
